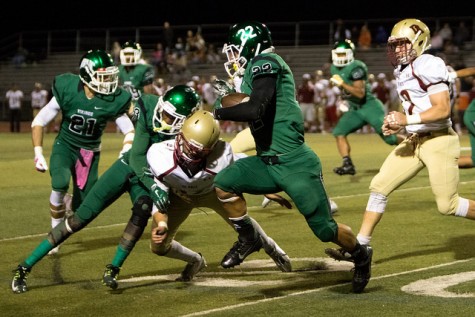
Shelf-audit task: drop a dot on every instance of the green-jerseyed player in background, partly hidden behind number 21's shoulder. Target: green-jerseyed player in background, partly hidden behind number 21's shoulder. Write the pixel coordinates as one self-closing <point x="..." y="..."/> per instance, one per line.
<point x="134" y="74"/>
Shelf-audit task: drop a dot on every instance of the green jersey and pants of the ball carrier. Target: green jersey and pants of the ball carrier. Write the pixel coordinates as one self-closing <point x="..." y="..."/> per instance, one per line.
<point x="283" y="162"/>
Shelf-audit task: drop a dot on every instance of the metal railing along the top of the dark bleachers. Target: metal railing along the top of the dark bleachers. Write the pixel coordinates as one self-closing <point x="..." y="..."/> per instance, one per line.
<point x="43" y="43"/>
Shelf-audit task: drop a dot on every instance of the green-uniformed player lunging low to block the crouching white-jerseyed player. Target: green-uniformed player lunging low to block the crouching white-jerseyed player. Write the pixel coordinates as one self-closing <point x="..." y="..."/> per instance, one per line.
<point x="159" y="119"/>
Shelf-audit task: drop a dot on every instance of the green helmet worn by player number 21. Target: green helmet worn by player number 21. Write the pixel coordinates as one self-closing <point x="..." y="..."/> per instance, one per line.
<point x="98" y="71"/>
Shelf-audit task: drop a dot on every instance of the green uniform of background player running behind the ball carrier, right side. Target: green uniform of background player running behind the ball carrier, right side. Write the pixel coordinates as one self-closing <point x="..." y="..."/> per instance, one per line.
<point x="368" y="110"/>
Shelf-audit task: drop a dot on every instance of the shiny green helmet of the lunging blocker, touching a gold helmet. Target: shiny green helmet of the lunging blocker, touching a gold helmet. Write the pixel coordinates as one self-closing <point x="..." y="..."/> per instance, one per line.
<point x="173" y="107"/>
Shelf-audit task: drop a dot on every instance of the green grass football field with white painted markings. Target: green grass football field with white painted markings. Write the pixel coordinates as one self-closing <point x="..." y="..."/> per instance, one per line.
<point x="423" y="262"/>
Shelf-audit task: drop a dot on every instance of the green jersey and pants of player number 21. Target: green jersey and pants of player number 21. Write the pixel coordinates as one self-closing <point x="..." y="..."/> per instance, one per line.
<point x="82" y="126"/>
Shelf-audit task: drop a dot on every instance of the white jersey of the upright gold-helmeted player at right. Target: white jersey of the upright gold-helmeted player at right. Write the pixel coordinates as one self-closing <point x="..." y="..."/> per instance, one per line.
<point x="424" y="76"/>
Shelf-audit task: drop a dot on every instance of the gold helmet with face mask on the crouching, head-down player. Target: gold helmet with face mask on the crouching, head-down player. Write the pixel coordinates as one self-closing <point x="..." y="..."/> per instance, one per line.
<point x="196" y="140"/>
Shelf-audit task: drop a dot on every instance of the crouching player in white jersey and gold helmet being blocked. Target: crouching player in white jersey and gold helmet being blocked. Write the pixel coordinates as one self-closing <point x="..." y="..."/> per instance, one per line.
<point x="185" y="168"/>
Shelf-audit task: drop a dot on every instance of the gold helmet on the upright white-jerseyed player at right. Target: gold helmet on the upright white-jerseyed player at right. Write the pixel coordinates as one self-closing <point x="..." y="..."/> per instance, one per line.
<point x="409" y="39"/>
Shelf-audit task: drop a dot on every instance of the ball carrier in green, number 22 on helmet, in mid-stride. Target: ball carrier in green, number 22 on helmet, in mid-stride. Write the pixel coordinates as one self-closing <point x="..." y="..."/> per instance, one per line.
<point x="284" y="162"/>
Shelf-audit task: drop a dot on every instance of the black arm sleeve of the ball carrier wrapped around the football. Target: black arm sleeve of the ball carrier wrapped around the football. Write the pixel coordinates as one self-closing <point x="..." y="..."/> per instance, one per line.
<point x="261" y="96"/>
